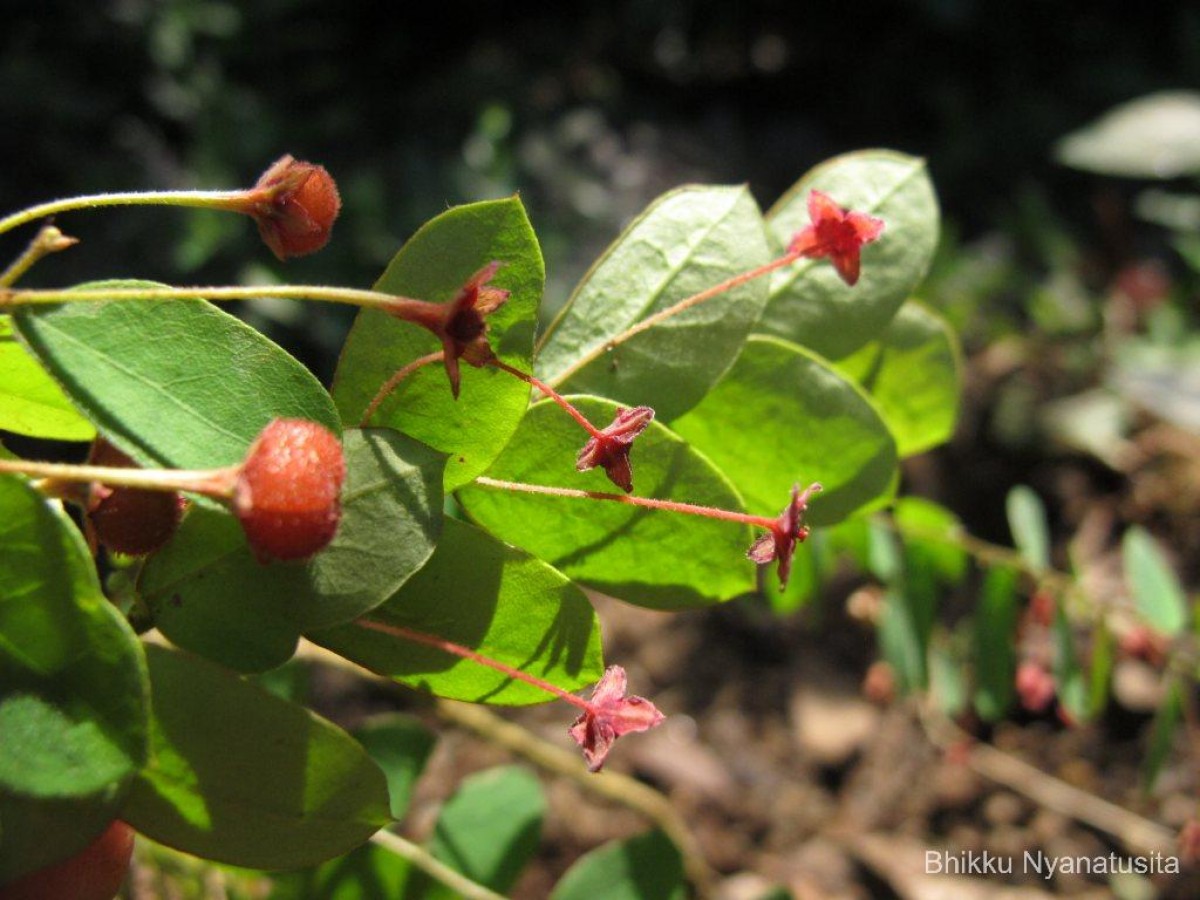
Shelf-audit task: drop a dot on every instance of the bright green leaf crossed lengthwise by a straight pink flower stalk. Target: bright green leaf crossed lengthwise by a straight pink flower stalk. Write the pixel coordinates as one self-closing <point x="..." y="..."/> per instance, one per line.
<point x="647" y="557"/>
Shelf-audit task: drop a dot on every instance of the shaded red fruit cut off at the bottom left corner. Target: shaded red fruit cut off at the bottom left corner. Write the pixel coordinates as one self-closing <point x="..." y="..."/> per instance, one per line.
<point x="93" y="874"/>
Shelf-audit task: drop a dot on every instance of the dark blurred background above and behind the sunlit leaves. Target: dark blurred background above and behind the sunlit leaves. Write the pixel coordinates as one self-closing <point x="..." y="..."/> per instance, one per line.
<point x="591" y="111"/>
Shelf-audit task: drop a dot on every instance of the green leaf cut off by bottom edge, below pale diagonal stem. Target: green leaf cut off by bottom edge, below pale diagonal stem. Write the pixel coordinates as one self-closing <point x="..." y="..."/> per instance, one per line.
<point x="369" y="873"/>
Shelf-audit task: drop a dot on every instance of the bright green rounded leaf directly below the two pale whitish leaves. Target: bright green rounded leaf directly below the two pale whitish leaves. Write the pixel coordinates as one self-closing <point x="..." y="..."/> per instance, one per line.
<point x="783" y="416"/>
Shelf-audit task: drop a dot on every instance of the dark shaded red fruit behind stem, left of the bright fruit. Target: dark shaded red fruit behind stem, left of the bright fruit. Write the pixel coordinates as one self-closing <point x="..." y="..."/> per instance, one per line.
<point x="130" y="520"/>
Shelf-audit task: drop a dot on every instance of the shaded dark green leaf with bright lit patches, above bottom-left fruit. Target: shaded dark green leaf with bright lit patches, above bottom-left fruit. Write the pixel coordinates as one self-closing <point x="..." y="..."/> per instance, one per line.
<point x="242" y="777"/>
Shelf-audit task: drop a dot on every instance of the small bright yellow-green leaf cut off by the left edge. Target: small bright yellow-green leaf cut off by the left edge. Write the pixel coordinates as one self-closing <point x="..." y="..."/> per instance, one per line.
<point x="31" y="403"/>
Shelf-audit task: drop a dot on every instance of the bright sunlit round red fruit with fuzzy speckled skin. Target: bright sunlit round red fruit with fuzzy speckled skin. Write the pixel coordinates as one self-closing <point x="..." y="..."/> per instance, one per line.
<point x="287" y="496"/>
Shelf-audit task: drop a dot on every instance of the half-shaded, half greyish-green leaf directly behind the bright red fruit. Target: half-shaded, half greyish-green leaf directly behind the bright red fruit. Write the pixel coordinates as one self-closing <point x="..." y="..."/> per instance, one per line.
<point x="211" y="595"/>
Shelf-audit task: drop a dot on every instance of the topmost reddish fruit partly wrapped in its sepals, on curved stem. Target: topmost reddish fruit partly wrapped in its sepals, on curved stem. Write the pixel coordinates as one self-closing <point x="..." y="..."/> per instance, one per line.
<point x="295" y="206"/>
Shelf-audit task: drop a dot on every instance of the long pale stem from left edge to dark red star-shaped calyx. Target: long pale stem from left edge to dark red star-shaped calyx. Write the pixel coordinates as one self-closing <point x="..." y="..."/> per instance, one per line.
<point x="400" y="307"/>
